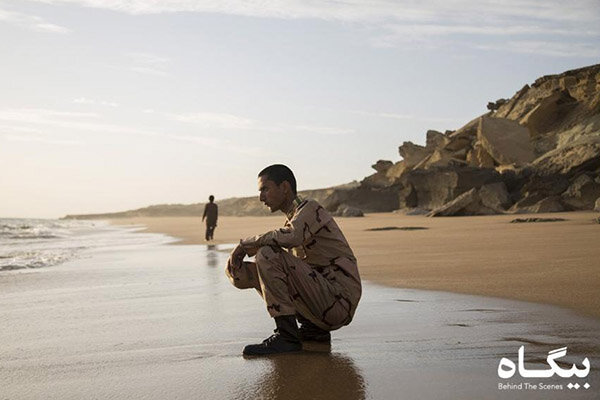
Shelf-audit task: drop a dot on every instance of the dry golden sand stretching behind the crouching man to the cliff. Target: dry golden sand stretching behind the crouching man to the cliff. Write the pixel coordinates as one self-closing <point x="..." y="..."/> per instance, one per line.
<point x="547" y="262"/>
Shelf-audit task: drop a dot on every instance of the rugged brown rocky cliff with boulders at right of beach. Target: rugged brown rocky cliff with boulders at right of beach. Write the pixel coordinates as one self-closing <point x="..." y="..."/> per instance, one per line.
<point x="542" y="147"/>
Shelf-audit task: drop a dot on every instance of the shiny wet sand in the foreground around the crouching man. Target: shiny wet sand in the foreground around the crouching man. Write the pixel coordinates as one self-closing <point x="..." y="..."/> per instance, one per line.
<point x="163" y="322"/>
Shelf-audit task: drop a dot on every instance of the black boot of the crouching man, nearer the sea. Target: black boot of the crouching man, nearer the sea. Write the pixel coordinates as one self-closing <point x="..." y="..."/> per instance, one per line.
<point x="284" y="340"/>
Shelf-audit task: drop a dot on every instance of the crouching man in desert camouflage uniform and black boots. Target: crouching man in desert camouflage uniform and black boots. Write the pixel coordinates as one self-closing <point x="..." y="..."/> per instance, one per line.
<point x="305" y="270"/>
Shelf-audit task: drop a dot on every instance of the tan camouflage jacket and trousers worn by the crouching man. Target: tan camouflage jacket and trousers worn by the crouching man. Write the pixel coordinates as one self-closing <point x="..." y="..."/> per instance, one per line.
<point x="317" y="277"/>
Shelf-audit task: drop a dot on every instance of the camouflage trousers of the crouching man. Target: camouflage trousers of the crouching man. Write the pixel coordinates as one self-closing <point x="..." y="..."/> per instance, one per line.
<point x="290" y="286"/>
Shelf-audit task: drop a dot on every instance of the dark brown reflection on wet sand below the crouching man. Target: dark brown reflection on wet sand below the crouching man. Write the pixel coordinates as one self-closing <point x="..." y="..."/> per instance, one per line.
<point x="308" y="375"/>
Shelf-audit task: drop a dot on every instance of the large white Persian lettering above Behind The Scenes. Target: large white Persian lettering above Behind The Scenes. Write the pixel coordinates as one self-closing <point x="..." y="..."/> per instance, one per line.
<point x="507" y="368"/>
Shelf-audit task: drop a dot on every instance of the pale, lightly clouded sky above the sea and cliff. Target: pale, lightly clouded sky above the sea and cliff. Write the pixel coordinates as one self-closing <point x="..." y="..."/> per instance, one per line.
<point x="111" y="105"/>
